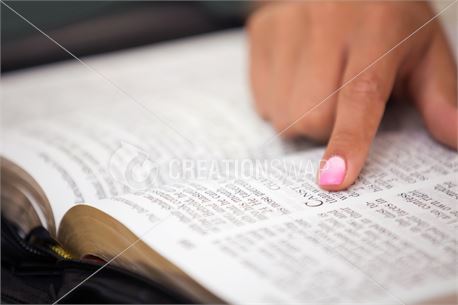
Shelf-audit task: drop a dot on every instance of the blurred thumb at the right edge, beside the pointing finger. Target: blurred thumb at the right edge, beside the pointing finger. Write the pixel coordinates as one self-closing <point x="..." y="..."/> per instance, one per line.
<point x="433" y="86"/>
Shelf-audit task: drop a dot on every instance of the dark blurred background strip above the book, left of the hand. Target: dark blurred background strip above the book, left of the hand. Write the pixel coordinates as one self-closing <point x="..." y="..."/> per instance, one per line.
<point x="92" y="27"/>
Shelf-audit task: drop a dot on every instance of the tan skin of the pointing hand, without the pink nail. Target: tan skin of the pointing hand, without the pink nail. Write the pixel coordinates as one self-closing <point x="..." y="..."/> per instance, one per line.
<point x="301" y="52"/>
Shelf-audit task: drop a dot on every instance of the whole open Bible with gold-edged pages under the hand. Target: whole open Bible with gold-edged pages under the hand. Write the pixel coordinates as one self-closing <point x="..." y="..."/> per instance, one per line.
<point x="155" y="157"/>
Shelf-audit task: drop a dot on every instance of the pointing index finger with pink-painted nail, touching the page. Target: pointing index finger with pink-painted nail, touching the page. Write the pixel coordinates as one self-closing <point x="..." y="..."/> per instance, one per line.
<point x="360" y="108"/>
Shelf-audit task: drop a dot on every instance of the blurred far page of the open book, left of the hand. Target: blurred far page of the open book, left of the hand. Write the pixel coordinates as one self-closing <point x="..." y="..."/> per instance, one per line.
<point x="78" y="133"/>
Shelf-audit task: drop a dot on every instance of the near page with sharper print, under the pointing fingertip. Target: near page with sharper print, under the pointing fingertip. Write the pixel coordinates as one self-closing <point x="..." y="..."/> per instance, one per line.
<point x="390" y="239"/>
